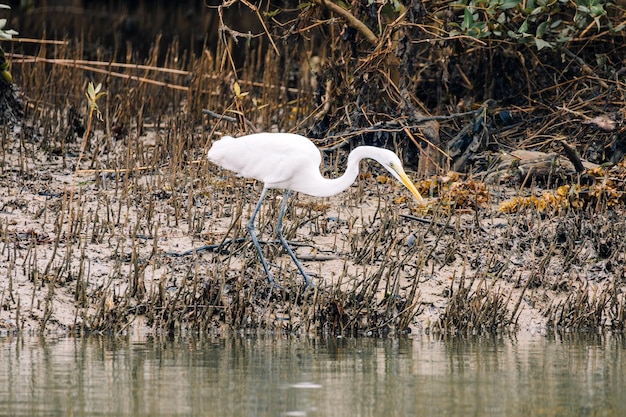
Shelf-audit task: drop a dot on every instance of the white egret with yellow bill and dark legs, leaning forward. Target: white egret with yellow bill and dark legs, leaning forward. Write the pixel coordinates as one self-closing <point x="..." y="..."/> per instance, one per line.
<point x="292" y="162"/>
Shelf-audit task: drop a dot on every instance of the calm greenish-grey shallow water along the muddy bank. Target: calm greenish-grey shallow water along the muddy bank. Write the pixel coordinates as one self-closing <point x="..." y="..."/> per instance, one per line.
<point x="282" y="376"/>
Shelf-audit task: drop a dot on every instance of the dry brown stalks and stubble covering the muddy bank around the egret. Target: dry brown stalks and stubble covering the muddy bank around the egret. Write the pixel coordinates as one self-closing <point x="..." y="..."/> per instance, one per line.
<point x="144" y="197"/>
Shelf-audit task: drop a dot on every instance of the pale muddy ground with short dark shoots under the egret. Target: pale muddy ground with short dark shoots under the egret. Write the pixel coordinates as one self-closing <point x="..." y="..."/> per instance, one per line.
<point x="379" y="261"/>
